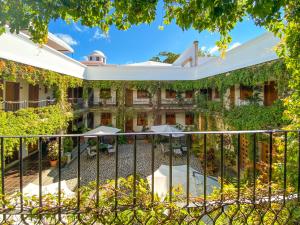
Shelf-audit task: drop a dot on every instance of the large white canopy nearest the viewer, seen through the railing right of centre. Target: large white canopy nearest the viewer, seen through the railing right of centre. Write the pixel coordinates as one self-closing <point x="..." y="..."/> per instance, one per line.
<point x="179" y="178"/>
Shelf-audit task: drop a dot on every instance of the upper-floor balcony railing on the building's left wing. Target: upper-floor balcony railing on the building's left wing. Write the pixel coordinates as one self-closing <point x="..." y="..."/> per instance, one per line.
<point x="16" y="105"/>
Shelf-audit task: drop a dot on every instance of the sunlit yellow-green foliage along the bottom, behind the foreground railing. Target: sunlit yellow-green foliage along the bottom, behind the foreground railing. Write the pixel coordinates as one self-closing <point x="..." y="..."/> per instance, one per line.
<point x="160" y="211"/>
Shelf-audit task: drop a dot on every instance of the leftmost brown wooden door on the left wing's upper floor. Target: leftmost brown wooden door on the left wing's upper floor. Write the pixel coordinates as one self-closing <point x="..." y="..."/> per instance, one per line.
<point x="12" y="95"/>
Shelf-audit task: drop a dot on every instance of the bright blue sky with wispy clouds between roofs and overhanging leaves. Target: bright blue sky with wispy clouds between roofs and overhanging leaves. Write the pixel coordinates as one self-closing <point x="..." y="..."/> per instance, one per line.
<point x="140" y="43"/>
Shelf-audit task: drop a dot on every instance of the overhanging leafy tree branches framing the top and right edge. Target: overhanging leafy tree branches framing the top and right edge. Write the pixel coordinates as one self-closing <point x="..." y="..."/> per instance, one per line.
<point x="282" y="17"/>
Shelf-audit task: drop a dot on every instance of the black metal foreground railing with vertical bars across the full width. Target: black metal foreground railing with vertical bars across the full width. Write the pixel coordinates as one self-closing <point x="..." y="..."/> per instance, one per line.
<point x="215" y="194"/>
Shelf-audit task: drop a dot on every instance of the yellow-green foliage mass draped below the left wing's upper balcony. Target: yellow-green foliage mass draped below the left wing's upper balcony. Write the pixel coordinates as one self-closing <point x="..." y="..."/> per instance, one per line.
<point x="31" y="121"/>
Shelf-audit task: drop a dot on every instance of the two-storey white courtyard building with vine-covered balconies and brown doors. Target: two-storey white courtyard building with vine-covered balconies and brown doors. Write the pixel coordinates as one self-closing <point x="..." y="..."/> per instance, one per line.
<point x="140" y="94"/>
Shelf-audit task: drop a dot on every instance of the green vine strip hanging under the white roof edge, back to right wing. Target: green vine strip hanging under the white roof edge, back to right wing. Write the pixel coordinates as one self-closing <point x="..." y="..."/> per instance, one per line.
<point x="254" y="75"/>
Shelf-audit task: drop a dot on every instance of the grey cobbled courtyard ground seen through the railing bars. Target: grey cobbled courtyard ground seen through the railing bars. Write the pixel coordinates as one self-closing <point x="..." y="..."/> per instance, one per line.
<point x="125" y="163"/>
